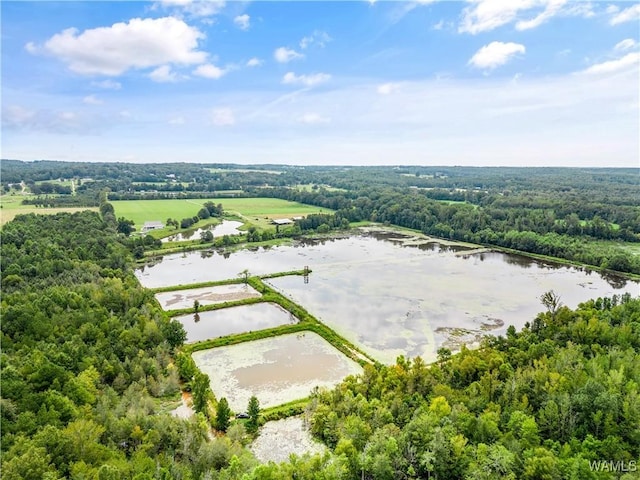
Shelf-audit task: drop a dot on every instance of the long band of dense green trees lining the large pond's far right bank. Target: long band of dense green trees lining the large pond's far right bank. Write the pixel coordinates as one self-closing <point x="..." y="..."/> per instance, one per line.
<point x="527" y="229"/>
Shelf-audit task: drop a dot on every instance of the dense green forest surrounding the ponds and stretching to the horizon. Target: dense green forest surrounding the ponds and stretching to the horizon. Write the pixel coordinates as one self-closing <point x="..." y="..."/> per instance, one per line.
<point x="91" y="365"/>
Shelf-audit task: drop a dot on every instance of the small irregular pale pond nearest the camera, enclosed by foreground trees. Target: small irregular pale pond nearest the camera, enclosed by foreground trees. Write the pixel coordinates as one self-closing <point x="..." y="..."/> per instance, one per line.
<point x="281" y="438"/>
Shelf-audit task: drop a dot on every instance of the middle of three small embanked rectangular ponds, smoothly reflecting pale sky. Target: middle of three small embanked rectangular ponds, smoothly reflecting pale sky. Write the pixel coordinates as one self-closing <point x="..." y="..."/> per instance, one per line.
<point x="244" y="318"/>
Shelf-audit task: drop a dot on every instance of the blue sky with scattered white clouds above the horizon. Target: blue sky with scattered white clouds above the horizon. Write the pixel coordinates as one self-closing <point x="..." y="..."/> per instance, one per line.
<point x="483" y="82"/>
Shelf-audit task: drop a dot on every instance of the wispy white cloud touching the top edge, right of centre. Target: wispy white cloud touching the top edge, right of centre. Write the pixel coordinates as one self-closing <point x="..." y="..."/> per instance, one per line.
<point x="486" y="15"/>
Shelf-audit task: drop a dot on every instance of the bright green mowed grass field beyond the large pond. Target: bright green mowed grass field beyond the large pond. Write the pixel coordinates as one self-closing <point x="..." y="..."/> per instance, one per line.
<point x="259" y="211"/>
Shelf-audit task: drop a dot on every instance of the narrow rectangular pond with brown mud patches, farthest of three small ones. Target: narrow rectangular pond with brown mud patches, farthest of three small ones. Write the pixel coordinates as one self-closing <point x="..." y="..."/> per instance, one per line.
<point x="205" y="295"/>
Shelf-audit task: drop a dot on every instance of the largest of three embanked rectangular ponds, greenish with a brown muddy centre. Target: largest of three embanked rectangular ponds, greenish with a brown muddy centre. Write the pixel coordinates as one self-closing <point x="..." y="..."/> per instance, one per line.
<point x="276" y="370"/>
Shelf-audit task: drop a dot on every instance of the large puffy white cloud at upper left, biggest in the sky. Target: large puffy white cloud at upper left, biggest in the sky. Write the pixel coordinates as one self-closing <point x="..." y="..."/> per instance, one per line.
<point x="140" y="43"/>
